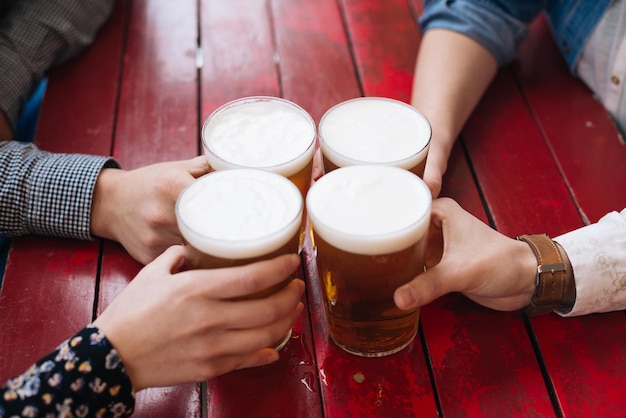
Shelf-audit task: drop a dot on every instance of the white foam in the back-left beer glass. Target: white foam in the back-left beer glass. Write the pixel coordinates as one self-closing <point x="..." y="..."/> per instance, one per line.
<point x="260" y="132"/>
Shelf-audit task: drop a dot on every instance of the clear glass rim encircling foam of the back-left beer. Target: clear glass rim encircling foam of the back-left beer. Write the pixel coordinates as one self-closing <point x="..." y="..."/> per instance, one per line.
<point x="277" y="168"/>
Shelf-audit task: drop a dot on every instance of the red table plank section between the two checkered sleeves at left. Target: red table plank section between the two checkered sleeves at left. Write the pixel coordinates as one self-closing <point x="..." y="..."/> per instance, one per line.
<point x="78" y="109"/>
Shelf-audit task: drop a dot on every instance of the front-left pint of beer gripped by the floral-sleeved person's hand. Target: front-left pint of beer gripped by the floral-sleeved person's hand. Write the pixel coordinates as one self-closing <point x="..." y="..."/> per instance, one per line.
<point x="235" y="217"/>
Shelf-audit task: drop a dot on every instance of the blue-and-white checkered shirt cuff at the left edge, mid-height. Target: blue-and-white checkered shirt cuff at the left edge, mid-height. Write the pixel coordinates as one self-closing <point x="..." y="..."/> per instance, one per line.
<point x="45" y="193"/>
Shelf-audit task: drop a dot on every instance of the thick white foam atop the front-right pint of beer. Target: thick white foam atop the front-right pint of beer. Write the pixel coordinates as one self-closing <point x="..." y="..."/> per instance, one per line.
<point x="369" y="209"/>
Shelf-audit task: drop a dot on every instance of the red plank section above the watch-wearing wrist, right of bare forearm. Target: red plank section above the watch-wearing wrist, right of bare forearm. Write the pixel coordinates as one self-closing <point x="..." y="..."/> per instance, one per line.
<point x="513" y="165"/>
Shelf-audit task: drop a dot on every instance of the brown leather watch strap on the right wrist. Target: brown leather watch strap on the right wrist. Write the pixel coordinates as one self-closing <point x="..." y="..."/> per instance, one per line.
<point x="552" y="289"/>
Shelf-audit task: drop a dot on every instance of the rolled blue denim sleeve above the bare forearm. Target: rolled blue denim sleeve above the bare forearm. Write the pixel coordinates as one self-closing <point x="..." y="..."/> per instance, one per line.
<point x="500" y="26"/>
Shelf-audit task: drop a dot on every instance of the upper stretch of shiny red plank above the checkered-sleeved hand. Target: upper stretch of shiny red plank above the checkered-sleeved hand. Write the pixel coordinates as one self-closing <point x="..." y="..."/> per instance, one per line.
<point x="157" y="118"/>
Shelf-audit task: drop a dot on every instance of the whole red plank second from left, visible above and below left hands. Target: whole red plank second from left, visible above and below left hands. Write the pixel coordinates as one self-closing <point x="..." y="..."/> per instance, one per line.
<point x="157" y="120"/>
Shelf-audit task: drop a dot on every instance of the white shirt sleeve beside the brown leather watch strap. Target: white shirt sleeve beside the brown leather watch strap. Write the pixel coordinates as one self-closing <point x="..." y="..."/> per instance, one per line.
<point x="598" y="256"/>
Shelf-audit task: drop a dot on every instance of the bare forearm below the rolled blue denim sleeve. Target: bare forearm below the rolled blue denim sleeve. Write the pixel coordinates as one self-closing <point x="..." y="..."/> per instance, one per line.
<point x="451" y="74"/>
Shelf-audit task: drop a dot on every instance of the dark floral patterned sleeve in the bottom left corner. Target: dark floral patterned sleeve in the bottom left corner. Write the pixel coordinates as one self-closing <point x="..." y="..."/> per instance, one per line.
<point x="84" y="376"/>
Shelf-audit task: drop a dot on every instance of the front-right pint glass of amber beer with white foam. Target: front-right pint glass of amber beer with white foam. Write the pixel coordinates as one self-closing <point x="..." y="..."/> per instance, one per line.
<point x="370" y="229"/>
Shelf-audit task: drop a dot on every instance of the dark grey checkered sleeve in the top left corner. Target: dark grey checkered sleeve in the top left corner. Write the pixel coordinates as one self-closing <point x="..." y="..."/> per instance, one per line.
<point x="35" y="35"/>
